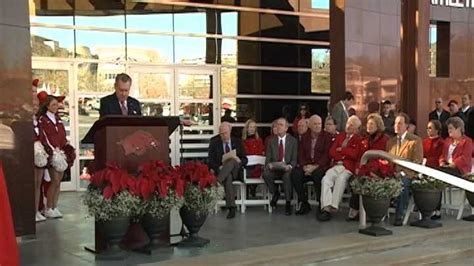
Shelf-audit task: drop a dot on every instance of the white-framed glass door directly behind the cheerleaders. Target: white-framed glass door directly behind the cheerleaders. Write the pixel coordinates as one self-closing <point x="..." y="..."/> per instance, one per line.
<point x="56" y="78"/>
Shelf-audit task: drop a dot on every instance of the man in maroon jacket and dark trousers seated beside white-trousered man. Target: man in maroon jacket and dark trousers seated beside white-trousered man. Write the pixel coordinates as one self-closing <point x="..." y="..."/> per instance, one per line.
<point x="313" y="161"/>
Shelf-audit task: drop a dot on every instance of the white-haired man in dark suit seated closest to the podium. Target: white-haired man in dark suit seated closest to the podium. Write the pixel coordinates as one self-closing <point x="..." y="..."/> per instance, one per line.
<point x="228" y="170"/>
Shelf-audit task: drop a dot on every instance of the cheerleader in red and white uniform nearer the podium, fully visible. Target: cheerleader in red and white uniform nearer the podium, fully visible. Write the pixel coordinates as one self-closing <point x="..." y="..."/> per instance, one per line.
<point x="52" y="135"/>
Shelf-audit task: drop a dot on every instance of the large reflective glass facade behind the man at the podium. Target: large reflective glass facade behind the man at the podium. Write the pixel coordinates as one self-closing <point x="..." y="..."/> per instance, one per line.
<point x="192" y="59"/>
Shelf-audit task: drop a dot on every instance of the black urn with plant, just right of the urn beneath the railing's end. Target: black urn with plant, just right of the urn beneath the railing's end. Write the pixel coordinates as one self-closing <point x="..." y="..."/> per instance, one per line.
<point x="427" y="196"/>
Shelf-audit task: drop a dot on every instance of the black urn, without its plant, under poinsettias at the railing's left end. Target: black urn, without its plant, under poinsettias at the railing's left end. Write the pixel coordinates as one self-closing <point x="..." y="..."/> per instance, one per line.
<point x="375" y="209"/>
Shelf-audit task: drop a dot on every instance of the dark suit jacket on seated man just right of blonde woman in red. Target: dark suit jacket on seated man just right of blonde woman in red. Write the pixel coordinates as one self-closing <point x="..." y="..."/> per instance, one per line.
<point x="291" y="151"/>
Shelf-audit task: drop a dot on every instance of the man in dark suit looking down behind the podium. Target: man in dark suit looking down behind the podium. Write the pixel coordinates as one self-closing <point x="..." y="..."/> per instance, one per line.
<point x="119" y="103"/>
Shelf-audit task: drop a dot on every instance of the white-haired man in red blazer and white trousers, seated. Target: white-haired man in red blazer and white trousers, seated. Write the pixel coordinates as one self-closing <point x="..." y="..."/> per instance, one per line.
<point x="345" y="153"/>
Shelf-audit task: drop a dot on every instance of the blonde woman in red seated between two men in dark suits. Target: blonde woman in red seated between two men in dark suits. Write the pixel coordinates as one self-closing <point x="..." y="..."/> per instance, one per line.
<point x="253" y="145"/>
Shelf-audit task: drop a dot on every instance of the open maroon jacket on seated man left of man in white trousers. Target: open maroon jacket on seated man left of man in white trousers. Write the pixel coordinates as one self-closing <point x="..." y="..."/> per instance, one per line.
<point x="321" y="150"/>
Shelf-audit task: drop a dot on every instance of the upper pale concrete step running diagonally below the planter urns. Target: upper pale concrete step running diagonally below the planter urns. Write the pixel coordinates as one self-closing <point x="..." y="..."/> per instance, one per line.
<point x="324" y="249"/>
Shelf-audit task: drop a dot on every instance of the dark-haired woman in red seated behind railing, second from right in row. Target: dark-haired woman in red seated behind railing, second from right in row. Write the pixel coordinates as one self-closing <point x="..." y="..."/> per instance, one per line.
<point x="433" y="144"/>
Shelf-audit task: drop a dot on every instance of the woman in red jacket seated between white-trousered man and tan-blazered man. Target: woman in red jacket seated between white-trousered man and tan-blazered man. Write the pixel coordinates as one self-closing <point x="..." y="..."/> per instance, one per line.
<point x="374" y="139"/>
